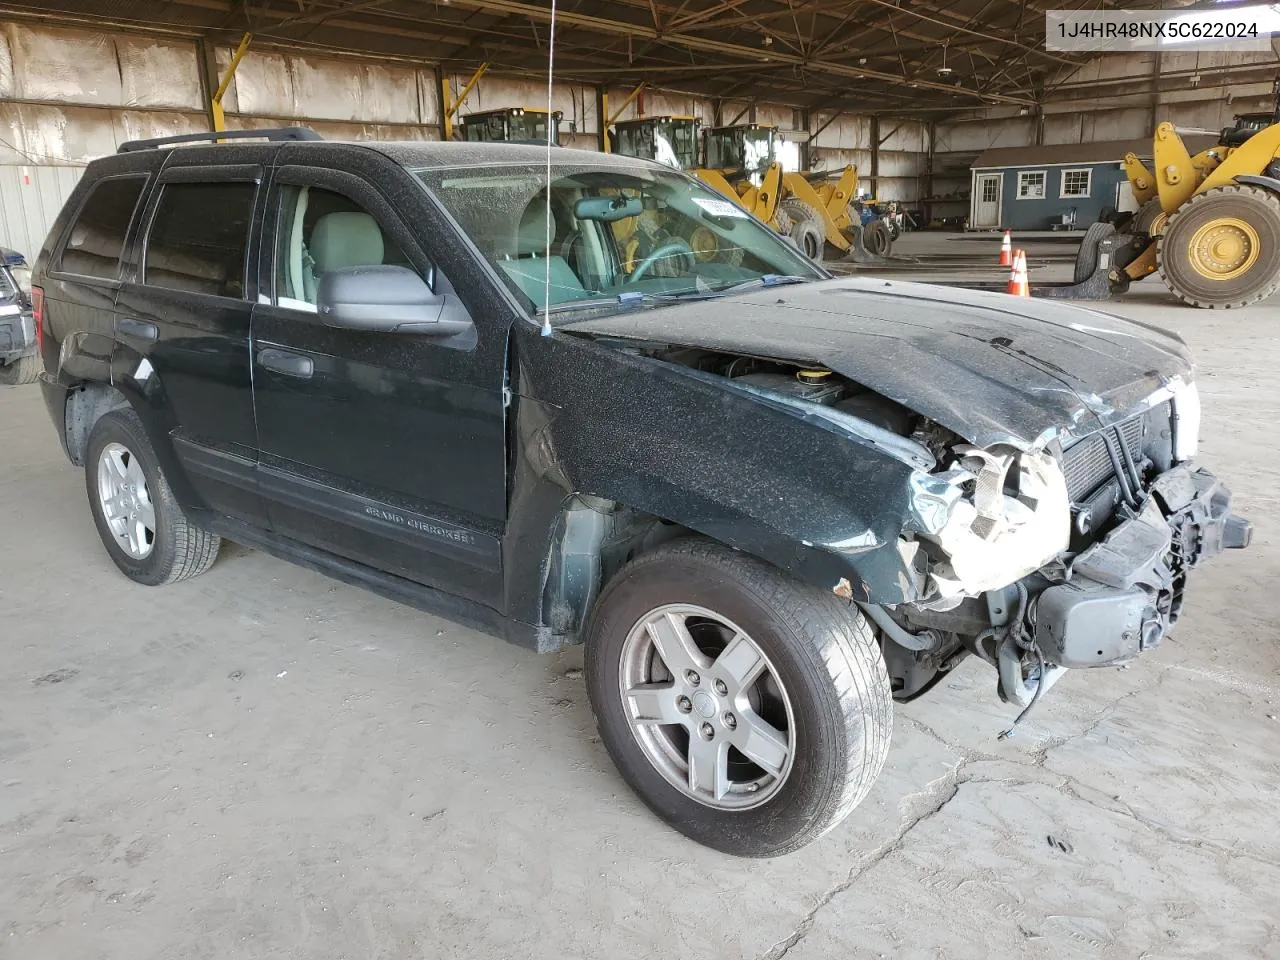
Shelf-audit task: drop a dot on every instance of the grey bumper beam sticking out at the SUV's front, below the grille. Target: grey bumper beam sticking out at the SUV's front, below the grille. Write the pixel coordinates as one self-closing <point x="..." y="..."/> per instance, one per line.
<point x="1123" y="595"/>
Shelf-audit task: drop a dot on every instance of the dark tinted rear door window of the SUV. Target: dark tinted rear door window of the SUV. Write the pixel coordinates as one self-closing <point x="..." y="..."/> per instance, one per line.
<point x="199" y="239"/>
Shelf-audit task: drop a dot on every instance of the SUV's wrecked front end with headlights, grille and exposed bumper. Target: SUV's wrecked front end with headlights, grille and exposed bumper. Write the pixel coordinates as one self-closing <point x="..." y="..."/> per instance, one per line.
<point x="1072" y="555"/>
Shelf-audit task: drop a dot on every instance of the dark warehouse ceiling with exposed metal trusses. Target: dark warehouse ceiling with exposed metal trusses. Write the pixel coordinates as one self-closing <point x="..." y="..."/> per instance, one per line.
<point x="894" y="56"/>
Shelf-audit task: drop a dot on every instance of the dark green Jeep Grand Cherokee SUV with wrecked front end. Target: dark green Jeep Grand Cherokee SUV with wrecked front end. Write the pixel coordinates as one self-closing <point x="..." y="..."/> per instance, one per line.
<point x="566" y="397"/>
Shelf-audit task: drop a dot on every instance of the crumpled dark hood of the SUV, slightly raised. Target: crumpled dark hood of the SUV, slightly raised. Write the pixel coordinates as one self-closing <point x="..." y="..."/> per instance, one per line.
<point x="994" y="369"/>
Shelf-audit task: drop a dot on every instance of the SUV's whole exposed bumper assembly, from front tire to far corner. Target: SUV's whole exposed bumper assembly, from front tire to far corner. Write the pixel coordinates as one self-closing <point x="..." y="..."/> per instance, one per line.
<point x="1104" y="605"/>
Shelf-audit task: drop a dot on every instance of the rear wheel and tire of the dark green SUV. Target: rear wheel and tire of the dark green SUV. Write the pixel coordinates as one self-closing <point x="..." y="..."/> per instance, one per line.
<point x="141" y="524"/>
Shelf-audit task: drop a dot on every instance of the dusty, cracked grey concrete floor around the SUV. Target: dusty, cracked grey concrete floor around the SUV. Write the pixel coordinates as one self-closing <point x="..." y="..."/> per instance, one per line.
<point x="266" y="764"/>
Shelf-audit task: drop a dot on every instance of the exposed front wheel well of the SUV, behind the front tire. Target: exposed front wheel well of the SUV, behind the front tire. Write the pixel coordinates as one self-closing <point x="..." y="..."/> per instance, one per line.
<point x="593" y="540"/>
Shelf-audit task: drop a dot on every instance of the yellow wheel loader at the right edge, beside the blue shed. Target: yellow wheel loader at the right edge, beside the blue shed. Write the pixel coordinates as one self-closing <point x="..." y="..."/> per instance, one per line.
<point x="1210" y="223"/>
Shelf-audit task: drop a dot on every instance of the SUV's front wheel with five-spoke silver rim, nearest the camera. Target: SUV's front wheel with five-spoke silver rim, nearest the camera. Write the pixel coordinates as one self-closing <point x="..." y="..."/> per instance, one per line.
<point x="749" y="711"/>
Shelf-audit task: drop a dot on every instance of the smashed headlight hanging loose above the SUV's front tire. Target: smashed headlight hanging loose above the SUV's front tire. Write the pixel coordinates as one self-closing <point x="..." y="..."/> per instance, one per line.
<point x="994" y="519"/>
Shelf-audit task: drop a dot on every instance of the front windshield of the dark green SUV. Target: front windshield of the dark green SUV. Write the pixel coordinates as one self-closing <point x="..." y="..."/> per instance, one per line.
<point x="619" y="236"/>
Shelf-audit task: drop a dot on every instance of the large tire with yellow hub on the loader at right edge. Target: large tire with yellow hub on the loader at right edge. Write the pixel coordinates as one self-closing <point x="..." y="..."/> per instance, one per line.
<point x="1222" y="250"/>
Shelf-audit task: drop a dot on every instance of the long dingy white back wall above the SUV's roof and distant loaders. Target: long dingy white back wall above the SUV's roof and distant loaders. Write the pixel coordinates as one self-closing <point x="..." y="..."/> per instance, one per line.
<point x="71" y="95"/>
